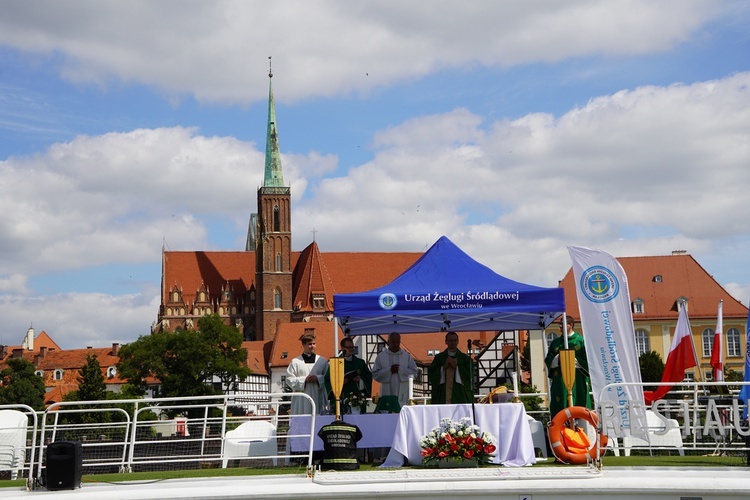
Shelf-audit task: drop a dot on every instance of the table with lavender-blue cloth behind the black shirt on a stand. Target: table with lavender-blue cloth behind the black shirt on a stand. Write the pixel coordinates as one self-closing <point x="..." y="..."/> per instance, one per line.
<point x="377" y="430"/>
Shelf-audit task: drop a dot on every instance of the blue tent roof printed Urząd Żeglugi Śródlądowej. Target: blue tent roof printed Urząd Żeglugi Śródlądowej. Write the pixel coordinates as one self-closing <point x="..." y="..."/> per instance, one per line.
<point x="448" y="290"/>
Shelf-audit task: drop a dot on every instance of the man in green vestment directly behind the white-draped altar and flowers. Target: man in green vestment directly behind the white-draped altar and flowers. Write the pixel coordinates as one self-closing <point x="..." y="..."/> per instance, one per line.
<point x="450" y="374"/>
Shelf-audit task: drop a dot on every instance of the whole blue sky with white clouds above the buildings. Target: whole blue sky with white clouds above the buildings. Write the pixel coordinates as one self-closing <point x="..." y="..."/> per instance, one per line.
<point x="513" y="128"/>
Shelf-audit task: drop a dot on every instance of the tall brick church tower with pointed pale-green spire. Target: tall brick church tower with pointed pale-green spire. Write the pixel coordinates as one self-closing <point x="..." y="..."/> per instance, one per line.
<point x="273" y="240"/>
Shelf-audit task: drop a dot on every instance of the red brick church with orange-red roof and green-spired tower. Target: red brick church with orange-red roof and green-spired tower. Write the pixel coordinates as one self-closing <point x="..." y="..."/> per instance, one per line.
<point x="270" y="292"/>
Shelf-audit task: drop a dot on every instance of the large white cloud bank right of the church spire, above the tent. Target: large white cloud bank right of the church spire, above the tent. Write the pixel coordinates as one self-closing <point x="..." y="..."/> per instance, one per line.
<point x="640" y="172"/>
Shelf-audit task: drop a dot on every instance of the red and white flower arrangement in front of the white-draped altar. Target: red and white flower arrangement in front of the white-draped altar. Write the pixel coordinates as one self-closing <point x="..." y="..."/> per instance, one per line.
<point x="457" y="441"/>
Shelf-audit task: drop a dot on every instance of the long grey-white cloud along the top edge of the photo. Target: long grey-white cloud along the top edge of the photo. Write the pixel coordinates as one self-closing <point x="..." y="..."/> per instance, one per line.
<point x="216" y="50"/>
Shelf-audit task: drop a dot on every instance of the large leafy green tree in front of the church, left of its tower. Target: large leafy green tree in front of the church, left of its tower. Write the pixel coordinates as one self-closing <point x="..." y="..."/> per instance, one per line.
<point x="186" y="362"/>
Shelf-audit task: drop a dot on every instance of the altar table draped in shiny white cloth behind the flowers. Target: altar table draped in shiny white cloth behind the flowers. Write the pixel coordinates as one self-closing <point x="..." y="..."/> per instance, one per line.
<point x="507" y="422"/>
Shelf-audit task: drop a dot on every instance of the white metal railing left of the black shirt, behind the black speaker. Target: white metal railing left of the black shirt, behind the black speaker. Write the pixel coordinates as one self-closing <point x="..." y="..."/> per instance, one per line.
<point x="159" y="434"/>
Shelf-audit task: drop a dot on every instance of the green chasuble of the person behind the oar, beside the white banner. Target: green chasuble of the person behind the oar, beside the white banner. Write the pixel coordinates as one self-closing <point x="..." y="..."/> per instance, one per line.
<point x="558" y="394"/>
